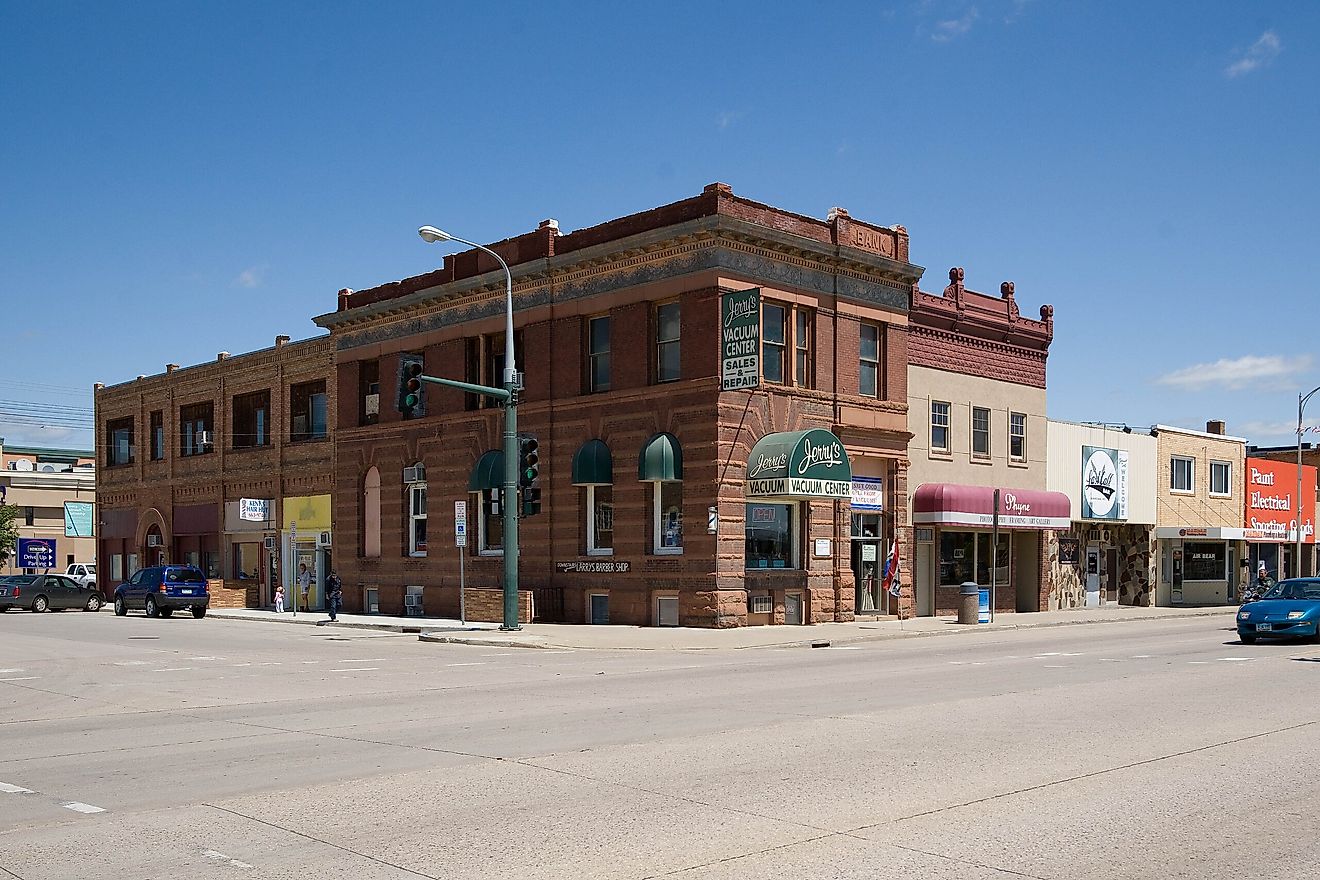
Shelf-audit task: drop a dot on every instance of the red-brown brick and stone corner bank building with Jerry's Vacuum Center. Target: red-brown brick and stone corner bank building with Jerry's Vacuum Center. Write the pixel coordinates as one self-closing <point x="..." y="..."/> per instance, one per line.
<point x="618" y="334"/>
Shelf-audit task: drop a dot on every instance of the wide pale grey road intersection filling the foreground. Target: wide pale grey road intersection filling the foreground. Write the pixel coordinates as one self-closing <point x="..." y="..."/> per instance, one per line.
<point x="191" y="749"/>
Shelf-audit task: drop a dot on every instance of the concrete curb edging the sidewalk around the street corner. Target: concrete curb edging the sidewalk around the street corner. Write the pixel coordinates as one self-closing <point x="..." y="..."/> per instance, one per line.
<point x="823" y="642"/>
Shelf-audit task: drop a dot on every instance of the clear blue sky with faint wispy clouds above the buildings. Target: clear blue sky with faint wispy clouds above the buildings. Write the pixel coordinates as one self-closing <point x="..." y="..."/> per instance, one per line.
<point x="183" y="180"/>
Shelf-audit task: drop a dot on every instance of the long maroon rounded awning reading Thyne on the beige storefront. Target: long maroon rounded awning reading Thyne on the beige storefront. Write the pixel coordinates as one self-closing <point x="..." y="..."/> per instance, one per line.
<point x="955" y="505"/>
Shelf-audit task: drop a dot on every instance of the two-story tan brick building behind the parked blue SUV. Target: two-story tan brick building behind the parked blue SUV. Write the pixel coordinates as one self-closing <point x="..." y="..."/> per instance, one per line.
<point x="209" y="466"/>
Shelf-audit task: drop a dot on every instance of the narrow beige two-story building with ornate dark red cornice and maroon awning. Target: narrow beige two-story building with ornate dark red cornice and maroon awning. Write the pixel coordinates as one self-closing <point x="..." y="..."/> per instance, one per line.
<point x="977" y="391"/>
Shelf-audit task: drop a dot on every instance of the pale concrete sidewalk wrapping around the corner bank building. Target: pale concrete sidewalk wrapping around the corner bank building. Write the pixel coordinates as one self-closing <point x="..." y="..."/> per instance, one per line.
<point x="581" y="637"/>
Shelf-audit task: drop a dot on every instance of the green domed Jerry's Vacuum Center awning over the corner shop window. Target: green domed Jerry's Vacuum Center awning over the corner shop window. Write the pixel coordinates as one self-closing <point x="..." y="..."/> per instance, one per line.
<point x="810" y="464"/>
